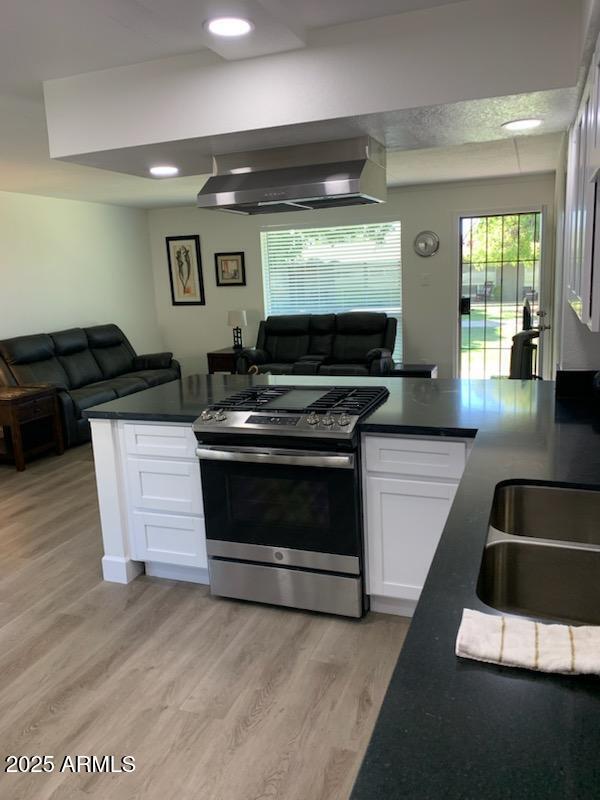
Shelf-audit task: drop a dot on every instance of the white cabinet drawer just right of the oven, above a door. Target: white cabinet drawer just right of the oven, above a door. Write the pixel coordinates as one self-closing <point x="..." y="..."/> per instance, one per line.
<point x="438" y="458"/>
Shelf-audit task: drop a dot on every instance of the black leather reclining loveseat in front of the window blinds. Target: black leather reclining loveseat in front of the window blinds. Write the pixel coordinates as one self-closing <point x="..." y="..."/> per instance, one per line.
<point x="354" y="343"/>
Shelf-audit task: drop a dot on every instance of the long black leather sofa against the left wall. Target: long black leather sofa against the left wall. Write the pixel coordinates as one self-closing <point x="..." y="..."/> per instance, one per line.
<point x="87" y="365"/>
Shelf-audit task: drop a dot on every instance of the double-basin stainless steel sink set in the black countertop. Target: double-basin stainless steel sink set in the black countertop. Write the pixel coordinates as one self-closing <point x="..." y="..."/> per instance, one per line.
<point x="542" y="556"/>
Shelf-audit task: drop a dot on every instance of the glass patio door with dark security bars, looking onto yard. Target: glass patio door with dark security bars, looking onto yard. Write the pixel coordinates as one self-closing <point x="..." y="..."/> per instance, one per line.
<point x="500" y="269"/>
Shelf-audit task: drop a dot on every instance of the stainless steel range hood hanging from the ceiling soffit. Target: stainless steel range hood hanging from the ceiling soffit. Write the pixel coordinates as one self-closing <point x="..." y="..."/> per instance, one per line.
<point x="325" y="175"/>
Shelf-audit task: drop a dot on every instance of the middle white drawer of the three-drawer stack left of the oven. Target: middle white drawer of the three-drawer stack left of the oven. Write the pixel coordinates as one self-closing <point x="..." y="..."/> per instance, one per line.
<point x="165" y="485"/>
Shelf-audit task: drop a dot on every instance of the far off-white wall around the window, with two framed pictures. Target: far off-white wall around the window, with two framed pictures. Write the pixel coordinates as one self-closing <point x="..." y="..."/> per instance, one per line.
<point x="430" y="293"/>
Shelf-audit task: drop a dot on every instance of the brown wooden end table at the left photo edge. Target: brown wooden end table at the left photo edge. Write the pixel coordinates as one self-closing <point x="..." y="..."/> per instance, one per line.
<point x="20" y="408"/>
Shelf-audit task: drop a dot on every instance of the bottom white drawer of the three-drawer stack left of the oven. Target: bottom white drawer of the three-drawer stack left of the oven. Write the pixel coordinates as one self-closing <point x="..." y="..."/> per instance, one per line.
<point x="169" y="539"/>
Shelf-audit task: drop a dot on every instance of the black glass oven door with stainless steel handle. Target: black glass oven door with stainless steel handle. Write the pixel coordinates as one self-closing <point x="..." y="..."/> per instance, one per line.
<point x="284" y="507"/>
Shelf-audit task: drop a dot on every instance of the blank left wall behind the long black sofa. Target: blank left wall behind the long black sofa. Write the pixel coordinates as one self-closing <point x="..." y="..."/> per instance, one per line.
<point x="66" y="264"/>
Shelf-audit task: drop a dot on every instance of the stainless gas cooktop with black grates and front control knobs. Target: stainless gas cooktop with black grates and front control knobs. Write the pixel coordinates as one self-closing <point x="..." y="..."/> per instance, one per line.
<point x="292" y="410"/>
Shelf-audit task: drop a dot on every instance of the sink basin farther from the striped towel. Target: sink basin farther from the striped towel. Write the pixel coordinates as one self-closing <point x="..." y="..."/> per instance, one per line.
<point x="547" y="511"/>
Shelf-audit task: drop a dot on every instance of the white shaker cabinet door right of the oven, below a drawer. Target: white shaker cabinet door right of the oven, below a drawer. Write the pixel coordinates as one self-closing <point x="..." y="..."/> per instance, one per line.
<point x="405" y="520"/>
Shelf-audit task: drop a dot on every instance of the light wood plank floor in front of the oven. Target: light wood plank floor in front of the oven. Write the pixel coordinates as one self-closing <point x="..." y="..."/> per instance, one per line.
<point x="215" y="699"/>
